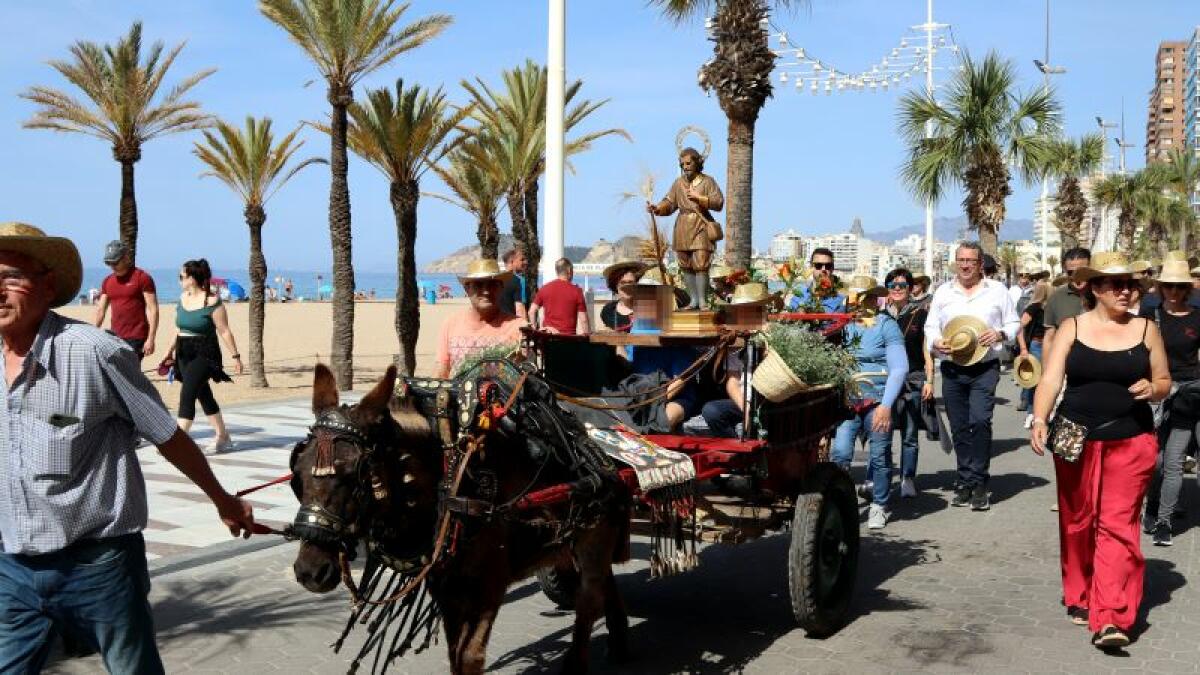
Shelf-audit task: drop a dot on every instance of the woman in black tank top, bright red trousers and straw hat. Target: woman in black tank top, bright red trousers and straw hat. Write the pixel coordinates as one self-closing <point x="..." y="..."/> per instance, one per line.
<point x="1115" y="365"/>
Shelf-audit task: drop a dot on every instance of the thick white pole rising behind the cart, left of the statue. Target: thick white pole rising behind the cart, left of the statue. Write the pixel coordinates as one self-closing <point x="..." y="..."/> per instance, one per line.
<point x="556" y="74"/>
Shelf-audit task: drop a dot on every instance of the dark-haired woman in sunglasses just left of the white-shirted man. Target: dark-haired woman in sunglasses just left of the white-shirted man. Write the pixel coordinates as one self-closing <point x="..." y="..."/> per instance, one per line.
<point x="920" y="383"/>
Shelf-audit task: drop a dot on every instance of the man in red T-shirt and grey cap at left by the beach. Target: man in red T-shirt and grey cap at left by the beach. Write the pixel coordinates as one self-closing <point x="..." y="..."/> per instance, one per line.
<point x="135" y="302"/>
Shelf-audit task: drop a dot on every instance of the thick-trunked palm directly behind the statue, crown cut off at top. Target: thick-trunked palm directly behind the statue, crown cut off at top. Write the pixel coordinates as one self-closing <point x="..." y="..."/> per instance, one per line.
<point x="740" y="73"/>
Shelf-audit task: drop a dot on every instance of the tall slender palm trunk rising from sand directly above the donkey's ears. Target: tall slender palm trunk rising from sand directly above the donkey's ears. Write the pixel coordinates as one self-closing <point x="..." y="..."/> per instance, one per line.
<point x="343" y="345"/>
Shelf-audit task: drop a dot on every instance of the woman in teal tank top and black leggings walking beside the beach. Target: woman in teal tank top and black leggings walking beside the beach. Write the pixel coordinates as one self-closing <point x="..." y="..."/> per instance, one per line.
<point x="201" y="318"/>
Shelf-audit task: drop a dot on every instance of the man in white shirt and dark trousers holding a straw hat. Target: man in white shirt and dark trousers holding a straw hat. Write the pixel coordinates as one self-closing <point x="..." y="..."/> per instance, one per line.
<point x="970" y="391"/>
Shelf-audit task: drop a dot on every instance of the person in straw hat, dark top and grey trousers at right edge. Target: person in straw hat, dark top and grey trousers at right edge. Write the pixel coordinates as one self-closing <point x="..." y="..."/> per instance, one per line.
<point x="1180" y="327"/>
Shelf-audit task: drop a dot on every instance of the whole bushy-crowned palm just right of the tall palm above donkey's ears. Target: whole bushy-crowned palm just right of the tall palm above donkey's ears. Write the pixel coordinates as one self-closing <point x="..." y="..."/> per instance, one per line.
<point x="404" y="136"/>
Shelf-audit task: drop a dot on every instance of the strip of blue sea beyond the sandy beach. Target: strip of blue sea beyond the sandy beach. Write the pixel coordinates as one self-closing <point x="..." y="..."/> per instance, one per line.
<point x="307" y="284"/>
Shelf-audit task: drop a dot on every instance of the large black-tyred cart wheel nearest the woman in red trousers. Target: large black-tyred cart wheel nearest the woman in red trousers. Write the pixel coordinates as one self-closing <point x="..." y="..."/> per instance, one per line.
<point x="823" y="560"/>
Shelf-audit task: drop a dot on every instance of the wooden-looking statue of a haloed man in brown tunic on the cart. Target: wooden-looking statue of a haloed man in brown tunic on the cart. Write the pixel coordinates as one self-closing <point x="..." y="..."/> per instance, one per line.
<point x="694" y="195"/>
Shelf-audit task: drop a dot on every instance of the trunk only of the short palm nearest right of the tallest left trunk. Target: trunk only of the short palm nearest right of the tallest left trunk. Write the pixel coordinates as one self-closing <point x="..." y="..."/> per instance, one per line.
<point x="409" y="312"/>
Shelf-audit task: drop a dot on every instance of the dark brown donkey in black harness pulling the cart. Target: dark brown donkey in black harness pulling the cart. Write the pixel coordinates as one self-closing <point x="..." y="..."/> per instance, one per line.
<point x="373" y="474"/>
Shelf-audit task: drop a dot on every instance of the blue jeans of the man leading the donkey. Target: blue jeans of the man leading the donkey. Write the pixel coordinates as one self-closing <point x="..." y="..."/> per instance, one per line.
<point x="97" y="590"/>
